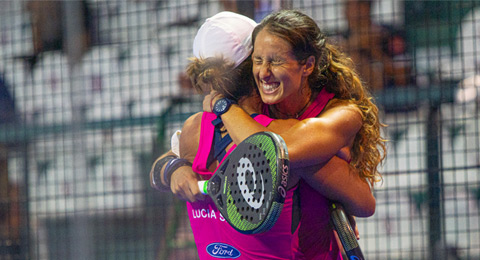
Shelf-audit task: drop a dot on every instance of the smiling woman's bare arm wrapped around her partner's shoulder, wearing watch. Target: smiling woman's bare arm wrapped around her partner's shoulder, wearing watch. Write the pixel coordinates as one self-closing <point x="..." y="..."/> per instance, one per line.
<point x="310" y="141"/>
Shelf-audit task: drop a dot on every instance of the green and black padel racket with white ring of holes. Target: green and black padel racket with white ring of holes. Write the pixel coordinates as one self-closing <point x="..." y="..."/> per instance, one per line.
<point x="249" y="186"/>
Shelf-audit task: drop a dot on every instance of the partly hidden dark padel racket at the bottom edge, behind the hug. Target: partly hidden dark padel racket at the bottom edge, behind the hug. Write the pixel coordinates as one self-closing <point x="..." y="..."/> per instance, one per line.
<point x="345" y="232"/>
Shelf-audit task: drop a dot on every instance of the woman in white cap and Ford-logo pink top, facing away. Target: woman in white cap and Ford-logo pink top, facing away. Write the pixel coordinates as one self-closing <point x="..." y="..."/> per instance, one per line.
<point x="225" y="37"/>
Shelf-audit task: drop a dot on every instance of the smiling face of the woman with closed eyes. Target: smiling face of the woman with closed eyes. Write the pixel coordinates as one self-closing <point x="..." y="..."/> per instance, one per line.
<point x="279" y="76"/>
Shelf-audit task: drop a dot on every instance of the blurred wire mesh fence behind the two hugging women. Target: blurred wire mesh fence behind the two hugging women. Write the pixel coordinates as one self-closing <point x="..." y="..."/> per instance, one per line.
<point x="91" y="91"/>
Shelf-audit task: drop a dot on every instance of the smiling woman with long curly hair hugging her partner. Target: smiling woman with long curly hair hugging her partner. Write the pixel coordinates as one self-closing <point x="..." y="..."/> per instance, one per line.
<point x="300" y="75"/>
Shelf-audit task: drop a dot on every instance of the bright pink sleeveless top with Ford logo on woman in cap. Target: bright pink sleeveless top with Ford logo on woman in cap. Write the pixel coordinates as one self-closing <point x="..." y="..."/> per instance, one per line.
<point x="214" y="237"/>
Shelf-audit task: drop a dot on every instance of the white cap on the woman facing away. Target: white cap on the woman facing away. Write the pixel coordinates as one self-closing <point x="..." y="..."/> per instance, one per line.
<point x="227" y="35"/>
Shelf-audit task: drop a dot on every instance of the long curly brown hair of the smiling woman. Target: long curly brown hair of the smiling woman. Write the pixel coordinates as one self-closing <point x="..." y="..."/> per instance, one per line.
<point x="335" y="72"/>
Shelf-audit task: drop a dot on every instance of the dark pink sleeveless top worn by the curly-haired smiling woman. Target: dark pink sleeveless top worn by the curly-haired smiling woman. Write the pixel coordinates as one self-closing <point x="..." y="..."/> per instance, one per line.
<point x="314" y="237"/>
